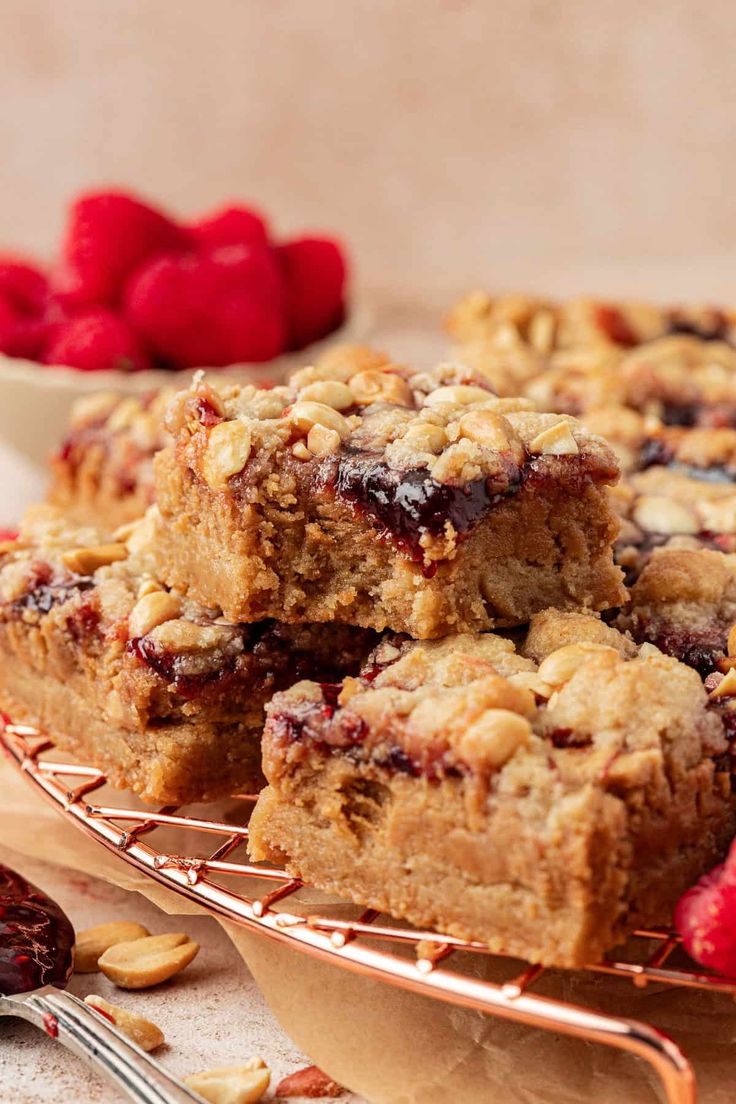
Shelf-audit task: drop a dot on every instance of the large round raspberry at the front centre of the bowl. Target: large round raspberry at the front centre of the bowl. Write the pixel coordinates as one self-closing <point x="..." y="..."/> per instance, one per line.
<point x="210" y="310"/>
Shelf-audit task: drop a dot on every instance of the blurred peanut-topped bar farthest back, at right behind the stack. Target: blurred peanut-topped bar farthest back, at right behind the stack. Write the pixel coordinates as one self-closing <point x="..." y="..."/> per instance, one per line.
<point x="678" y="365"/>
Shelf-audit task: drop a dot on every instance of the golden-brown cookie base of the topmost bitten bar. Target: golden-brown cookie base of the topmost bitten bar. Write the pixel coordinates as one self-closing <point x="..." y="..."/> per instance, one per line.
<point x="319" y="561"/>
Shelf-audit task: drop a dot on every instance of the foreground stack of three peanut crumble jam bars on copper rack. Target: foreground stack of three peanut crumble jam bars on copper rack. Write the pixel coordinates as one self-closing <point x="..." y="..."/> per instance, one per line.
<point x="543" y="790"/>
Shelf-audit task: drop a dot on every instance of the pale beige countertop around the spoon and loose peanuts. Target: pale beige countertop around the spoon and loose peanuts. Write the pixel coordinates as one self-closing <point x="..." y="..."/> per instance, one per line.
<point x="211" y="1015"/>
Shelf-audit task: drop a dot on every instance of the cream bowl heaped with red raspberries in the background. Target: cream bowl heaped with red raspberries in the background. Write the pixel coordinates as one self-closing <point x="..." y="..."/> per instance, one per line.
<point x="137" y="301"/>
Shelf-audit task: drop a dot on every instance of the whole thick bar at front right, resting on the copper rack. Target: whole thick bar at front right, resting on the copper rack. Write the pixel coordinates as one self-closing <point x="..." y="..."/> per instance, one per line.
<point x="546" y="801"/>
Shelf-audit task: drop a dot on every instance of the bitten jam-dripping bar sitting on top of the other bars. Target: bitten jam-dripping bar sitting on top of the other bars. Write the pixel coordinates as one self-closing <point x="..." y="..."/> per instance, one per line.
<point x="383" y="498"/>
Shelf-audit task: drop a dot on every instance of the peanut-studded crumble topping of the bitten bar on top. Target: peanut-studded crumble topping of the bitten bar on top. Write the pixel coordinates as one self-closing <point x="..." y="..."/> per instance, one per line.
<point x="456" y="433"/>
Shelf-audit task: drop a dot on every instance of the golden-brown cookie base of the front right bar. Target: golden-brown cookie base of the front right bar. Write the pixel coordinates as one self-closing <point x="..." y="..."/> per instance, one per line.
<point x="560" y="894"/>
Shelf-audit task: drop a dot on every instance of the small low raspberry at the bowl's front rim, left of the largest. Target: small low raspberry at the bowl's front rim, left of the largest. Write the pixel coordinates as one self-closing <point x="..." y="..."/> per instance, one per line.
<point x="97" y="342"/>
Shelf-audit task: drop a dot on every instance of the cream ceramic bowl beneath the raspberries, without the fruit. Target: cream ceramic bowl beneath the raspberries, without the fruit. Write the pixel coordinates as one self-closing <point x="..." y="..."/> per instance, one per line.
<point x="36" y="400"/>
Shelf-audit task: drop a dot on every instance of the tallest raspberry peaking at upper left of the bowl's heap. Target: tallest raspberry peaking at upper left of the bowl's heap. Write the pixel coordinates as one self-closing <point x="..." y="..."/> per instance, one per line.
<point x="109" y="236"/>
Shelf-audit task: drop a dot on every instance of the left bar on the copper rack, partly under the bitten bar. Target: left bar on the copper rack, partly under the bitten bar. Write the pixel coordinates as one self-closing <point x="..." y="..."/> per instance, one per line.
<point x="162" y="694"/>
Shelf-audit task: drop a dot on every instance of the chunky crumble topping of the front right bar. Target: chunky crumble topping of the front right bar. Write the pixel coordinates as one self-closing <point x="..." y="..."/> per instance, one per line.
<point x="600" y="709"/>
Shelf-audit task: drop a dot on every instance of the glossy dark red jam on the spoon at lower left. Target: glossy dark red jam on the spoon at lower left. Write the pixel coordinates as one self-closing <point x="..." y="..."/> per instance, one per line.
<point x="37" y="939"/>
